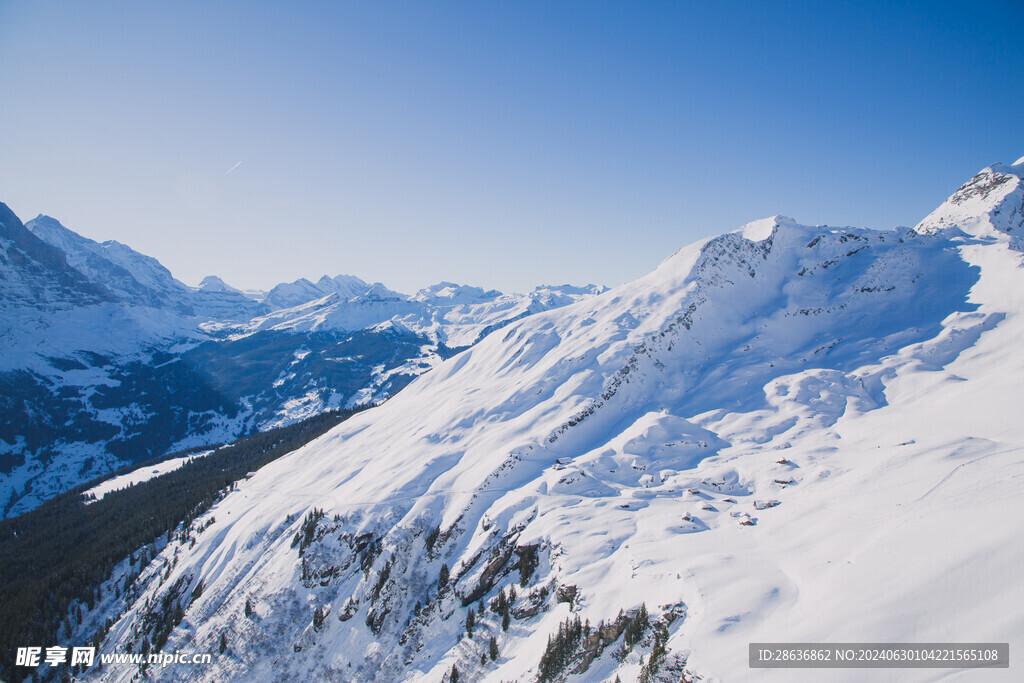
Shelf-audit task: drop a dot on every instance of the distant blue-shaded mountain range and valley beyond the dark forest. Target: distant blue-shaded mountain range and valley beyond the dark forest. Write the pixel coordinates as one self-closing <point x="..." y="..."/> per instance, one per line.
<point x="106" y="359"/>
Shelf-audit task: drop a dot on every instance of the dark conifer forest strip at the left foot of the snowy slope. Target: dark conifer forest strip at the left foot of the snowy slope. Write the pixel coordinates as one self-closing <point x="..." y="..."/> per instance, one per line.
<point x="66" y="549"/>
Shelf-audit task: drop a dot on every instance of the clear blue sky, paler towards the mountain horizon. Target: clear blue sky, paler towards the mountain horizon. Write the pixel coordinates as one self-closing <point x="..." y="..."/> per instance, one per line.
<point x="503" y="145"/>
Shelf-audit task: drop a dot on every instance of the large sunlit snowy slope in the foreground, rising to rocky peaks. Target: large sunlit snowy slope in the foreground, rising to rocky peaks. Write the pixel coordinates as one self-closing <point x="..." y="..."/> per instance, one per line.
<point x="785" y="434"/>
